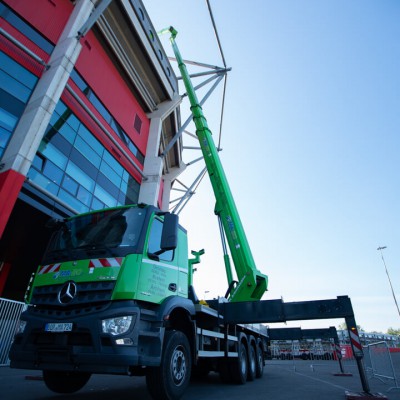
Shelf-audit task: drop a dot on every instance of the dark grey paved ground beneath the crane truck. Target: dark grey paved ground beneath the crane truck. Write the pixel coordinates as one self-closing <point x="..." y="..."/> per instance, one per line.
<point x="282" y="380"/>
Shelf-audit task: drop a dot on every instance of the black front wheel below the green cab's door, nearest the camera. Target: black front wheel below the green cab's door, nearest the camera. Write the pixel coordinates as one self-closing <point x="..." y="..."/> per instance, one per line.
<point x="171" y="379"/>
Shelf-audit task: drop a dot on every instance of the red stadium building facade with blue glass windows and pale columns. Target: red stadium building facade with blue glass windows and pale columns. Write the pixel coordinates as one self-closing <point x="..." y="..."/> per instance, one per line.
<point x="82" y="120"/>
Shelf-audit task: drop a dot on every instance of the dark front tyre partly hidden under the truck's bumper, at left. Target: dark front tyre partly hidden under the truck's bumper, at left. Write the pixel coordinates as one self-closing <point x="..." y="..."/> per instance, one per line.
<point x="65" y="381"/>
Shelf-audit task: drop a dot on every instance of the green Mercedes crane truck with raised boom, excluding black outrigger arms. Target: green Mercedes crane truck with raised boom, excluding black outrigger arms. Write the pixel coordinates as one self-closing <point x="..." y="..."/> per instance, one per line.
<point x="114" y="295"/>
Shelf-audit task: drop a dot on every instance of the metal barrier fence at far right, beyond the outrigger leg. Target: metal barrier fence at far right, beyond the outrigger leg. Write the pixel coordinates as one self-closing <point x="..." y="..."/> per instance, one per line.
<point x="378" y="363"/>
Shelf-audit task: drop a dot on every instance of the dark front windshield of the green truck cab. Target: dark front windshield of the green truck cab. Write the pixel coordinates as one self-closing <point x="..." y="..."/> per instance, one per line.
<point x="101" y="230"/>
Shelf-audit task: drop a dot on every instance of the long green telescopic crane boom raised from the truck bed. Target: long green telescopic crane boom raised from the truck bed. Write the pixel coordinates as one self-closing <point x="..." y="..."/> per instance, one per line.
<point x="251" y="283"/>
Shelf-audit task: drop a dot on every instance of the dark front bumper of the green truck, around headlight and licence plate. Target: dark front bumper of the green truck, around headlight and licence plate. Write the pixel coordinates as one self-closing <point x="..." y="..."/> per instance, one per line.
<point x="86" y="348"/>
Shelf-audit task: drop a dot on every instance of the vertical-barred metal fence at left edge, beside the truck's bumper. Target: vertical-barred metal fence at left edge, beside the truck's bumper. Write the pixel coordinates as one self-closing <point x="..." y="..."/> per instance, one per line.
<point x="10" y="312"/>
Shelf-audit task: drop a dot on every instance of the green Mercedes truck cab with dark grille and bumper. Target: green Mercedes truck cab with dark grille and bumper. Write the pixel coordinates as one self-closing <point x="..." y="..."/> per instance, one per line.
<point x="102" y="298"/>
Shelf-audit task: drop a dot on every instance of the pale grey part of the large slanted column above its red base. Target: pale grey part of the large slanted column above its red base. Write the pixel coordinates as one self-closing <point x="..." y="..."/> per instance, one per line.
<point x="32" y="126"/>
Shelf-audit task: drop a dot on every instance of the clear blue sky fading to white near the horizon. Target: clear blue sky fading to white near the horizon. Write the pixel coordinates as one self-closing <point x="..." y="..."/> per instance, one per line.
<point x="310" y="145"/>
